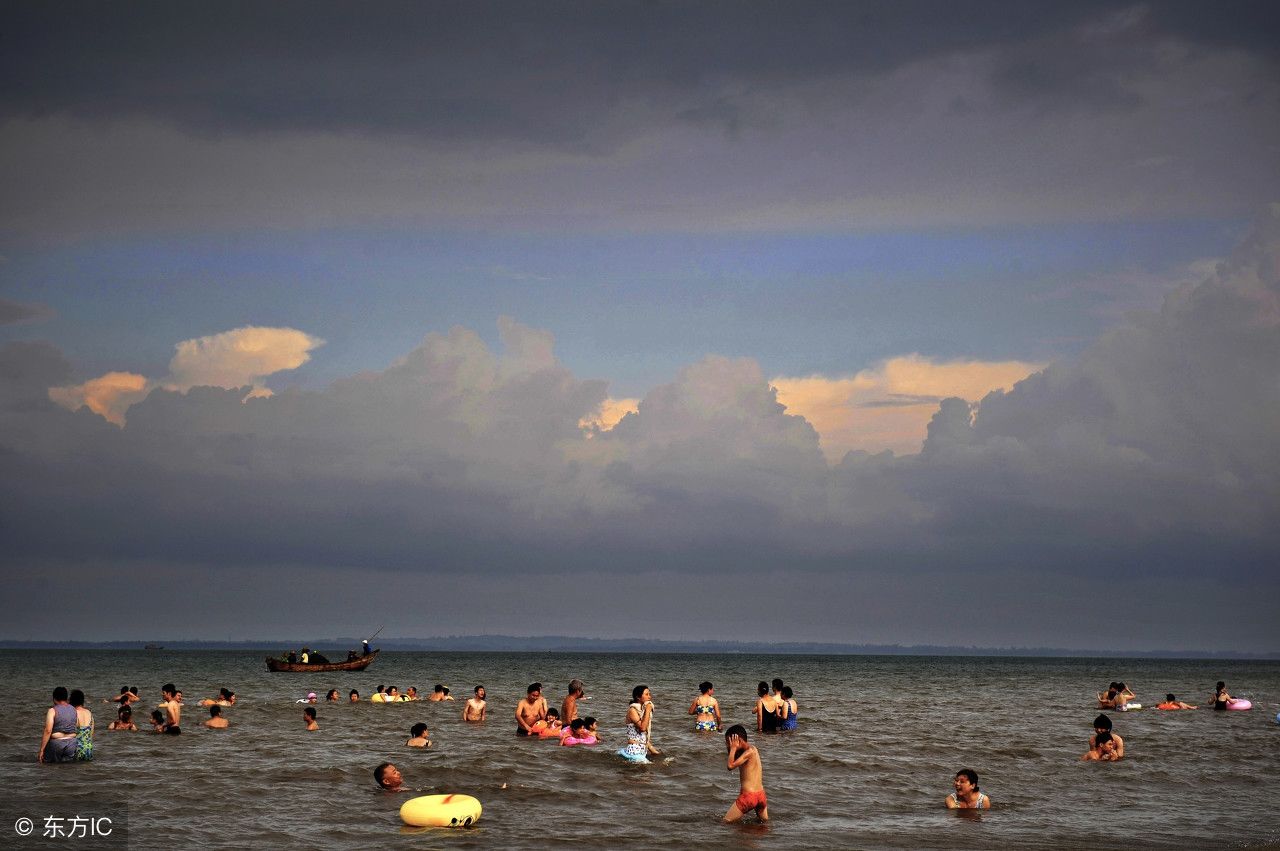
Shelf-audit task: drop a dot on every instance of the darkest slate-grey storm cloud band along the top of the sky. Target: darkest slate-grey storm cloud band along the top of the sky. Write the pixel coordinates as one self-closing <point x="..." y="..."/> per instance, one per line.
<point x="550" y="74"/>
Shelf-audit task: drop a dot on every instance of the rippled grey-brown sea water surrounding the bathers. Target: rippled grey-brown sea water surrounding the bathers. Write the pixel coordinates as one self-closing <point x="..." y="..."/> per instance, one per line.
<point x="880" y="740"/>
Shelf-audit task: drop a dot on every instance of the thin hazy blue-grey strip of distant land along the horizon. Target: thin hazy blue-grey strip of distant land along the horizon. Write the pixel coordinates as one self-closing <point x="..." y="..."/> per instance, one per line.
<point x="573" y="644"/>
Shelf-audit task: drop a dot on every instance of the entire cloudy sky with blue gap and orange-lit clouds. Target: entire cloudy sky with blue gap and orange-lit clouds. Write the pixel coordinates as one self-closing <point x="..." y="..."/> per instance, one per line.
<point x="893" y="323"/>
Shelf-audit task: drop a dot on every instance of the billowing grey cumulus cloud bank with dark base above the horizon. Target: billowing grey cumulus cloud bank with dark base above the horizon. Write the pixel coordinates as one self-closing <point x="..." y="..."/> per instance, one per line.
<point x="1153" y="455"/>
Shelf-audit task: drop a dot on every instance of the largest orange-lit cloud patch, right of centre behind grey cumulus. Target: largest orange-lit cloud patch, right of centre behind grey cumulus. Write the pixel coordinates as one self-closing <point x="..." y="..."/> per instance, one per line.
<point x="889" y="408"/>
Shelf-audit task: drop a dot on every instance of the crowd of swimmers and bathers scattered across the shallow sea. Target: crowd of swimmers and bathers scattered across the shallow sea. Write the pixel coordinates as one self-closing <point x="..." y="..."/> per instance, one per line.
<point x="68" y="734"/>
